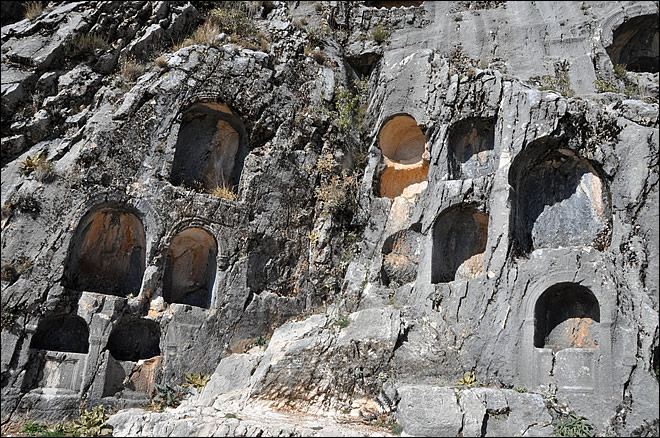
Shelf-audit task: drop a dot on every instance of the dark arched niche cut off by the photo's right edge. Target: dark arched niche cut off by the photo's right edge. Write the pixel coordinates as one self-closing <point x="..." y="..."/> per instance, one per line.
<point x="635" y="44"/>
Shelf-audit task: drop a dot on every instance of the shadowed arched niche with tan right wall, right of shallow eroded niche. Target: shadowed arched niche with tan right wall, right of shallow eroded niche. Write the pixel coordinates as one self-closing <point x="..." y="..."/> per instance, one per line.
<point x="460" y="235"/>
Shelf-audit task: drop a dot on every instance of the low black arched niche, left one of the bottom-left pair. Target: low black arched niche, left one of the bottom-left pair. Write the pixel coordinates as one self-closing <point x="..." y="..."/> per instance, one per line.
<point x="67" y="333"/>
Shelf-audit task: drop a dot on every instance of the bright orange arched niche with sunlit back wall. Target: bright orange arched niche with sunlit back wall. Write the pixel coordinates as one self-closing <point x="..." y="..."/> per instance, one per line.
<point x="403" y="145"/>
